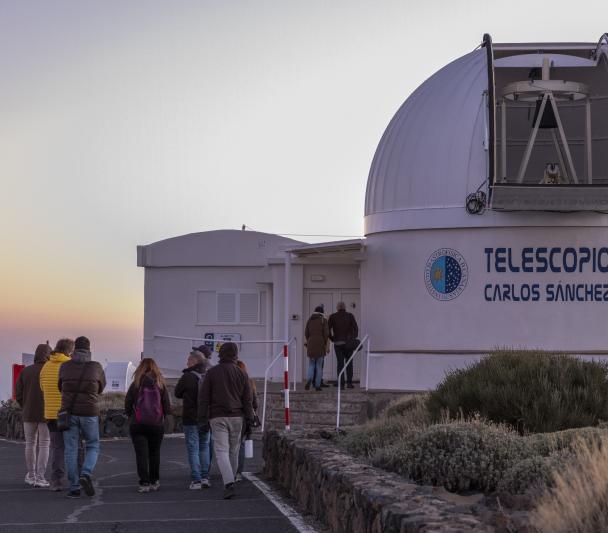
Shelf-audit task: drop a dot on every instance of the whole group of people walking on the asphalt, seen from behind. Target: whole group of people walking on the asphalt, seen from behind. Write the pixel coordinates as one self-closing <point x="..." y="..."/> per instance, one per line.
<point x="60" y="394"/>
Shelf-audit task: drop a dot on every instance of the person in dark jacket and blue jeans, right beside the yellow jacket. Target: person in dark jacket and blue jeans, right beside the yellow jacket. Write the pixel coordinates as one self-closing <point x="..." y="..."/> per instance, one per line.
<point x="81" y="381"/>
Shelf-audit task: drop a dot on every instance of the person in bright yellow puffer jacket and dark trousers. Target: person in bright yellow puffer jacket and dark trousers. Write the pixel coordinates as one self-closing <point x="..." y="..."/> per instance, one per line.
<point x="49" y="383"/>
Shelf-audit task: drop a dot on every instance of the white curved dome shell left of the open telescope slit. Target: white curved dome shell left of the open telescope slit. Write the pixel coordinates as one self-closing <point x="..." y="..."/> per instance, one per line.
<point x="432" y="153"/>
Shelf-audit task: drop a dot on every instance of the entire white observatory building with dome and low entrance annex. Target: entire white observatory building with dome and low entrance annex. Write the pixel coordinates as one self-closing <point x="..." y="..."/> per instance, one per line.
<point x="486" y="219"/>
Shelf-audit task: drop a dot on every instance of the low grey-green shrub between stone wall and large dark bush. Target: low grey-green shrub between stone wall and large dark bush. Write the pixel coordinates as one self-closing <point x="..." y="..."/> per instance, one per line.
<point x="459" y="456"/>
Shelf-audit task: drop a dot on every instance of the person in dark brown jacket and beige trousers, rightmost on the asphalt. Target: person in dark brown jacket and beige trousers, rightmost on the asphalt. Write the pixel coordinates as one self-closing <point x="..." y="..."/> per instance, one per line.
<point x="224" y="403"/>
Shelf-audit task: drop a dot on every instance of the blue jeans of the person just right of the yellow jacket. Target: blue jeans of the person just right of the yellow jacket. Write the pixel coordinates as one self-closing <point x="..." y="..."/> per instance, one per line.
<point x="88" y="427"/>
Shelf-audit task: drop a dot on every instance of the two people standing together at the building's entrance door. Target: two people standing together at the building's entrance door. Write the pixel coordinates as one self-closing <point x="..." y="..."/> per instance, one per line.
<point x="342" y="330"/>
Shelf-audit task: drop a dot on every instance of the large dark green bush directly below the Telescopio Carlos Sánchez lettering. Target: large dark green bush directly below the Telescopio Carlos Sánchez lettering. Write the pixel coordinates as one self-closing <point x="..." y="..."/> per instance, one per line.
<point x="531" y="391"/>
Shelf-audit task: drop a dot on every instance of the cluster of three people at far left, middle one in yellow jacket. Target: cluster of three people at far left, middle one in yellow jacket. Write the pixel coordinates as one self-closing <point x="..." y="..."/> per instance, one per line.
<point x="59" y="396"/>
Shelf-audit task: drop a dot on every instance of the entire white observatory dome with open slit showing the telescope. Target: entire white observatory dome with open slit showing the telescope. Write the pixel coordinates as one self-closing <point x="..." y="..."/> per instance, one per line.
<point x="463" y="133"/>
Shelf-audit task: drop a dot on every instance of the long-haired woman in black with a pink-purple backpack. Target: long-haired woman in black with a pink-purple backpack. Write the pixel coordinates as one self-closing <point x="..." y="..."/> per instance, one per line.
<point x="146" y="404"/>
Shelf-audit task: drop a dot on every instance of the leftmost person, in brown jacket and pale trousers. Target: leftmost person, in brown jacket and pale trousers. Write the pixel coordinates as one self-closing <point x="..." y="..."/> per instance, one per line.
<point x="29" y="396"/>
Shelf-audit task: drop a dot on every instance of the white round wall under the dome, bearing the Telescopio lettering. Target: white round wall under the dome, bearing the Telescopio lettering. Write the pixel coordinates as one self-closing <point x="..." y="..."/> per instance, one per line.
<point x="410" y="328"/>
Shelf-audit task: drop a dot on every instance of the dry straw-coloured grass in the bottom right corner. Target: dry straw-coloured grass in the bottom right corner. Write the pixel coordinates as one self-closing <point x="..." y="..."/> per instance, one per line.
<point x="579" y="501"/>
